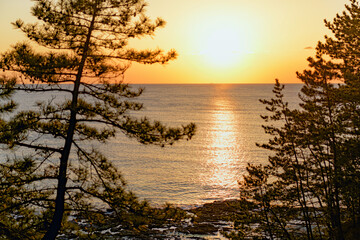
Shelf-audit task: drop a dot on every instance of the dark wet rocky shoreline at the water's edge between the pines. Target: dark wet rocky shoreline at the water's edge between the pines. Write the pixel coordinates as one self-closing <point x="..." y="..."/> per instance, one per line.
<point x="208" y="221"/>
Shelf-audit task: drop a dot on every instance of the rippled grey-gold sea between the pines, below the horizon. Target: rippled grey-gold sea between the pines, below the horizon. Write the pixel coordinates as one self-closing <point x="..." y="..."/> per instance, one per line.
<point x="208" y="167"/>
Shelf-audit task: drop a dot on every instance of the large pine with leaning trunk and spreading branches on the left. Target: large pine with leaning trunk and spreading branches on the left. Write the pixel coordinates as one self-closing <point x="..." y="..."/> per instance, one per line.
<point x="57" y="172"/>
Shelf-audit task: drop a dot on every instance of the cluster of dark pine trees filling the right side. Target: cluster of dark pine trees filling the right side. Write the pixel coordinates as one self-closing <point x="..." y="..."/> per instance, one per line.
<point x="310" y="187"/>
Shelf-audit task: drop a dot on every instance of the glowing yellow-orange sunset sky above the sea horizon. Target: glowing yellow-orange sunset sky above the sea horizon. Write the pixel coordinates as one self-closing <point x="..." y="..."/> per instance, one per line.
<point x="228" y="41"/>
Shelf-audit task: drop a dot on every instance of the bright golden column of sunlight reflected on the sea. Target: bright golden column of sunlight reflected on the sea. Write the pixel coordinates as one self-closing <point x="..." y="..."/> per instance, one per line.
<point x="224" y="151"/>
